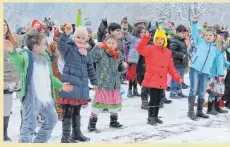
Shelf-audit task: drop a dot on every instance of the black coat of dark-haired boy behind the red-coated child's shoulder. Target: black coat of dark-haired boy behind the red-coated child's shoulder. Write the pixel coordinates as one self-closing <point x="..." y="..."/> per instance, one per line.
<point x="179" y="50"/>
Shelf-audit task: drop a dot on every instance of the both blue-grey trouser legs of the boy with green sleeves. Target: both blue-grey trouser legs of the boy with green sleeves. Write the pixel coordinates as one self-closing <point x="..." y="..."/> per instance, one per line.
<point x="31" y="107"/>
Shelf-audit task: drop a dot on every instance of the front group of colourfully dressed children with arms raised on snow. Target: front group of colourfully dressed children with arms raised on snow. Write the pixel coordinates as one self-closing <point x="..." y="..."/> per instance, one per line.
<point x="103" y="65"/>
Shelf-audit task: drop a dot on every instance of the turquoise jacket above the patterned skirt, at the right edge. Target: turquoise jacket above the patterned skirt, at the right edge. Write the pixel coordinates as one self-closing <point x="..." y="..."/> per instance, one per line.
<point x="221" y="63"/>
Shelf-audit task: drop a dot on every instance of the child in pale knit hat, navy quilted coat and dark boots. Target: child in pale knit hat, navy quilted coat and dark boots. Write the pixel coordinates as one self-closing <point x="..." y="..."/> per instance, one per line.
<point x="77" y="70"/>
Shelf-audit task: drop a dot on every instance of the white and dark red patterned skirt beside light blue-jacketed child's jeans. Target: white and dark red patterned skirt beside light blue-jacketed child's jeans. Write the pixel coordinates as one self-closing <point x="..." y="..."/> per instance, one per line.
<point x="216" y="86"/>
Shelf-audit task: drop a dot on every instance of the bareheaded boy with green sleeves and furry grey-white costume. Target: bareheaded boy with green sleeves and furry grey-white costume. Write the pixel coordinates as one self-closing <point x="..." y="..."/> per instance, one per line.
<point x="37" y="90"/>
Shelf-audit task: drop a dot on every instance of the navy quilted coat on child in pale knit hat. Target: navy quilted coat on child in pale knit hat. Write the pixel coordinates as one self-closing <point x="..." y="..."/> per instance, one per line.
<point x="77" y="69"/>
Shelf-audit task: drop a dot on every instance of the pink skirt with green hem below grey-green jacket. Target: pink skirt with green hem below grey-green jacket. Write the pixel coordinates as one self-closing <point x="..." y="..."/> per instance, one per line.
<point x="110" y="99"/>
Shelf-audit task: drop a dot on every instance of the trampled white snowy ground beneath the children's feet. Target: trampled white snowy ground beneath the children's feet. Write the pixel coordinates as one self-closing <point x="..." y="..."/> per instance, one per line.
<point x="176" y="128"/>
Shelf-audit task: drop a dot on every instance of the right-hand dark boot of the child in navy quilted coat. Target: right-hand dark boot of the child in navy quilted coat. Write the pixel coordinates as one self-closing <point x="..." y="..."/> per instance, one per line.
<point x="76" y="130"/>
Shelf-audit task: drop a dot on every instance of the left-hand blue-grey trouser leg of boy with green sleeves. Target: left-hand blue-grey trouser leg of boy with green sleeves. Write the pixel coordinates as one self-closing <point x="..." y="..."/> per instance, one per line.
<point x="29" y="119"/>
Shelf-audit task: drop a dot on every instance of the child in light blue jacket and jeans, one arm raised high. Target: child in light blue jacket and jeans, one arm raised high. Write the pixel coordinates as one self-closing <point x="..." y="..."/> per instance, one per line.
<point x="200" y="66"/>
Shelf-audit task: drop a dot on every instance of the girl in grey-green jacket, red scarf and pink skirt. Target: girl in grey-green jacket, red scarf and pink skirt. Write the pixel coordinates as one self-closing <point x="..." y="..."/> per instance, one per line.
<point x="108" y="96"/>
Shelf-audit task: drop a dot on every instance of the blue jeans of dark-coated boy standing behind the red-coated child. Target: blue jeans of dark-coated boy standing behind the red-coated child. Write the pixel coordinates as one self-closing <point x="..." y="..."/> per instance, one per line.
<point x="176" y="88"/>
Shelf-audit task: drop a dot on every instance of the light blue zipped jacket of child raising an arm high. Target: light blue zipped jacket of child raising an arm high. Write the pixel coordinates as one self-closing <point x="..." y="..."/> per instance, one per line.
<point x="206" y="53"/>
